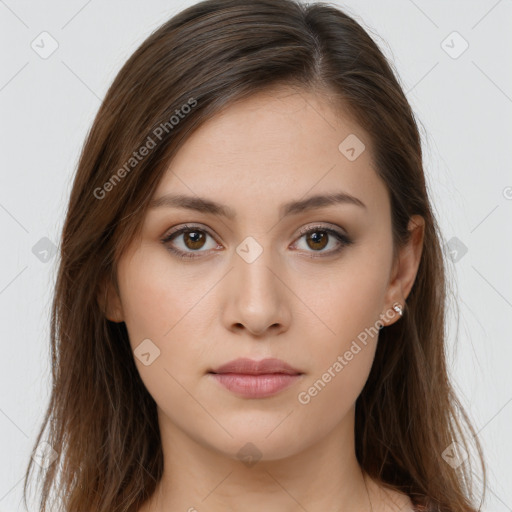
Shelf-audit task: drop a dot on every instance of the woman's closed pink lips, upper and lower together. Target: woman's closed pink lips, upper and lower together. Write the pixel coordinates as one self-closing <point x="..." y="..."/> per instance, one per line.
<point x="256" y="379"/>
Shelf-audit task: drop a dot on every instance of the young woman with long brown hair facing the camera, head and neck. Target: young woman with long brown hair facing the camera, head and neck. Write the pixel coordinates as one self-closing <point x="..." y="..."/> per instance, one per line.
<point x="250" y="306"/>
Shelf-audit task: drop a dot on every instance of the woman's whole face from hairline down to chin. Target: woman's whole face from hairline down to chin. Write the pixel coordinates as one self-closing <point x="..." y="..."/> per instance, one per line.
<point x="281" y="276"/>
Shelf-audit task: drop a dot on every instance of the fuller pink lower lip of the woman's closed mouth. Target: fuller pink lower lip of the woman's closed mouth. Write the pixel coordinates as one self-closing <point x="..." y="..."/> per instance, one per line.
<point x="255" y="386"/>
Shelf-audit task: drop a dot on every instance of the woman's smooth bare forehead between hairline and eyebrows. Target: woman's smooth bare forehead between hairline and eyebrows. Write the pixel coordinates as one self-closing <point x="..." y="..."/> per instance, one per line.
<point x="276" y="146"/>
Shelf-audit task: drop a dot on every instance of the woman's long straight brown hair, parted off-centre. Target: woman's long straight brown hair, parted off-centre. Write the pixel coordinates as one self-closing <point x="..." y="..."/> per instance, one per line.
<point x="101" y="422"/>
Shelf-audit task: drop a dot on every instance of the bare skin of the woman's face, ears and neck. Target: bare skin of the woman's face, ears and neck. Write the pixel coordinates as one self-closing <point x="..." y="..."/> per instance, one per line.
<point x="278" y="146"/>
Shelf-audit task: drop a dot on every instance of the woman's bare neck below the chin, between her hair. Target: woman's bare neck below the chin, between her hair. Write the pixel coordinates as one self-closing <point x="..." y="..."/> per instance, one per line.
<point x="323" y="476"/>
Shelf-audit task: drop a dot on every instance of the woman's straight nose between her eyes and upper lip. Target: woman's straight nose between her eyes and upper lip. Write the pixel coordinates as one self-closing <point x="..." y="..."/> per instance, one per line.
<point x="256" y="297"/>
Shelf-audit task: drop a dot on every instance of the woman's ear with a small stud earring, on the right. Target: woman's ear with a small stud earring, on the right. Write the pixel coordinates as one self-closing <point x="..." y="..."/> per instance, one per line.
<point x="404" y="270"/>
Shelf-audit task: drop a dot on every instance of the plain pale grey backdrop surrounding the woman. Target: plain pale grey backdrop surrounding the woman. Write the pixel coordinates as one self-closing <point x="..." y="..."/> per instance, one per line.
<point x="462" y="98"/>
